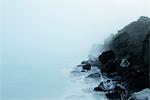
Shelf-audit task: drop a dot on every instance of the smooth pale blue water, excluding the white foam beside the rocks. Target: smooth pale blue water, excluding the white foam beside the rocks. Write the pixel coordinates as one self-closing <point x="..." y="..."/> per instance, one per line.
<point x="28" y="75"/>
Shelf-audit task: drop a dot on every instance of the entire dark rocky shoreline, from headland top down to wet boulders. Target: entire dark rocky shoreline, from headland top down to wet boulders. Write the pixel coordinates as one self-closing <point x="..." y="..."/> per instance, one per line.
<point x="125" y="63"/>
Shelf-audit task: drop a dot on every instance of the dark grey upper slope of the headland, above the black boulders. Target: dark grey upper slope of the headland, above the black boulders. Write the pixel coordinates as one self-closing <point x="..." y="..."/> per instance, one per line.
<point x="133" y="41"/>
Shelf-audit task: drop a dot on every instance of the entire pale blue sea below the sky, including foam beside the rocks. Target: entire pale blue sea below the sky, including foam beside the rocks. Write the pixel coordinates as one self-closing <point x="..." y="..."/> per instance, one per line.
<point x="39" y="74"/>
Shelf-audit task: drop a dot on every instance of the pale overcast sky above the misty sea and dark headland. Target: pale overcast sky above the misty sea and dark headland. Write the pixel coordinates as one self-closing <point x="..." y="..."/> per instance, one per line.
<point x="69" y="22"/>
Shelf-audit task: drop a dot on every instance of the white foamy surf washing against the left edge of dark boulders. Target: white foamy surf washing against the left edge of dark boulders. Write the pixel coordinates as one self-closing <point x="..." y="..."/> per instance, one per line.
<point x="81" y="88"/>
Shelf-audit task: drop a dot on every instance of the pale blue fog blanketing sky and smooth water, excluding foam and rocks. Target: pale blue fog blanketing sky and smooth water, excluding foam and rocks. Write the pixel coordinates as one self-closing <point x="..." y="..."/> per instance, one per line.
<point x="40" y="38"/>
